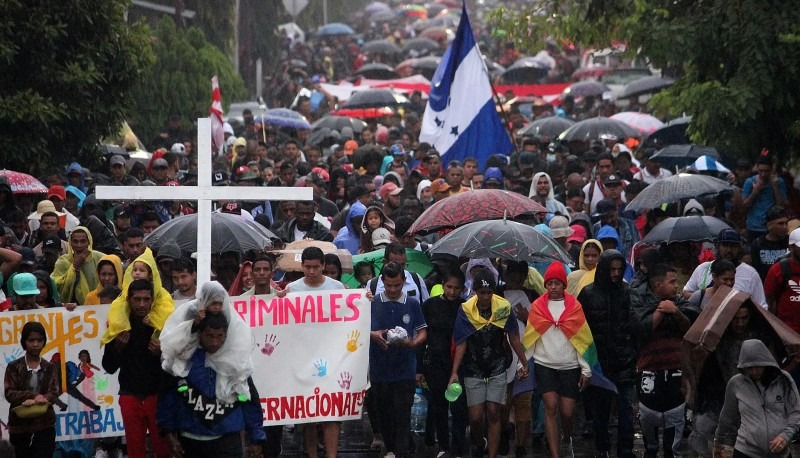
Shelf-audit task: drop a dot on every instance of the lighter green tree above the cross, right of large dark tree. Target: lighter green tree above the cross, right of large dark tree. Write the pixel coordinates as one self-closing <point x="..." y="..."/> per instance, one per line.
<point x="180" y="82"/>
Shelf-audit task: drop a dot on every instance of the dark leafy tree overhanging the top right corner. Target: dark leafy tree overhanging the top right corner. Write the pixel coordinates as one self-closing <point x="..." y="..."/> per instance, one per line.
<point x="736" y="61"/>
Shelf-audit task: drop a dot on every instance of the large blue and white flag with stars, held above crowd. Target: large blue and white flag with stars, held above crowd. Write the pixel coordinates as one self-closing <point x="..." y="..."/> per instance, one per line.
<point x="460" y="119"/>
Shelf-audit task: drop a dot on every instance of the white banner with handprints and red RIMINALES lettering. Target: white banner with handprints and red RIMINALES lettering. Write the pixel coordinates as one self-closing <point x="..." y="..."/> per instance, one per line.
<point x="312" y="355"/>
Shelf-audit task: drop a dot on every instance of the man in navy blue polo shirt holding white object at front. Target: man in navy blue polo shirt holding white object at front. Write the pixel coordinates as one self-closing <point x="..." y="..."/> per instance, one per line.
<point x="392" y="359"/>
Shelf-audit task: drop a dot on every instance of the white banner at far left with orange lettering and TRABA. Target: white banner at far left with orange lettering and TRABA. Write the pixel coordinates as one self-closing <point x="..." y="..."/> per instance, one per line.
<point x="88" y="407"/>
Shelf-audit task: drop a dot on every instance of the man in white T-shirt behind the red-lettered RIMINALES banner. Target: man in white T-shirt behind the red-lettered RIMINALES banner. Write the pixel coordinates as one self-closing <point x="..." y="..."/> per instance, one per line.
<point x="312" y="260"/>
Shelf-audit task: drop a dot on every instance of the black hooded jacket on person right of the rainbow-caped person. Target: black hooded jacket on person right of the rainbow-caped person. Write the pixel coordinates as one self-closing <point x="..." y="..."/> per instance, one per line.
<point x="607" y="309"/>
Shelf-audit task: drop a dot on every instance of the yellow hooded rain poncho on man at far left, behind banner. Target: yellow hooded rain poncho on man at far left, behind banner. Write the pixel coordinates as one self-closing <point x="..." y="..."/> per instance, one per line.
<point x="70" y="287"/>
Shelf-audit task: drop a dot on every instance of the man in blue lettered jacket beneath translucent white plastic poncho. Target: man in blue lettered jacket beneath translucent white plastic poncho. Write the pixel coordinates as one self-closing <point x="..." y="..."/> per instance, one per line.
<point x="195" y="422"/>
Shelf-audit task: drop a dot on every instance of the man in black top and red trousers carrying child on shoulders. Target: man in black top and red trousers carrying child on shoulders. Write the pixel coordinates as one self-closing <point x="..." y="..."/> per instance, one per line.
<point x="137" y="355"/>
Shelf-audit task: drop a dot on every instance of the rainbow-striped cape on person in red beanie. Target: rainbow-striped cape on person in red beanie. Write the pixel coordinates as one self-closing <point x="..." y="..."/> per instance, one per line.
<point x="573" y="324"/>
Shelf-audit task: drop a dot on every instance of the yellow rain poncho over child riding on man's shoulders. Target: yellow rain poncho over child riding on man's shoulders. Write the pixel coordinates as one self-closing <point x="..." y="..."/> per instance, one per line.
<point x="120" y="311"/>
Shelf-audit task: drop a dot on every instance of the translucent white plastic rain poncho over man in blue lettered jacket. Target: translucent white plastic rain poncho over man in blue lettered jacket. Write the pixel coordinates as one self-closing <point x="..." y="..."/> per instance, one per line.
<point x="232" y="362"/>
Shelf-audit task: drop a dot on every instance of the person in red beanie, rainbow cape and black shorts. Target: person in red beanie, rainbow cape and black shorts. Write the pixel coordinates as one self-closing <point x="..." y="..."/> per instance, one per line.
<point x="560" y="342"/>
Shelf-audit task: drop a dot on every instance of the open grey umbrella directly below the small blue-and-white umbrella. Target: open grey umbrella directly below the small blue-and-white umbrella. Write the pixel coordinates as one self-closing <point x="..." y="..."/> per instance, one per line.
<point x="675" y="188"/>
